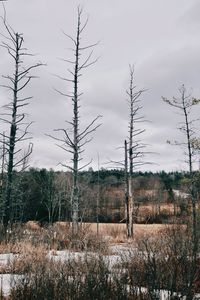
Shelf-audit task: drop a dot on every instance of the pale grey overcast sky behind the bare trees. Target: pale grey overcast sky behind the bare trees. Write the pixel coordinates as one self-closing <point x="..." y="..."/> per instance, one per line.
<point x="160" y="37"/>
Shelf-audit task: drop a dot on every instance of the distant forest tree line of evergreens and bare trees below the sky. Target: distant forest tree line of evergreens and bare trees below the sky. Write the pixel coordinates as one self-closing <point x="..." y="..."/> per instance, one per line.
<point x="45" y="195"/>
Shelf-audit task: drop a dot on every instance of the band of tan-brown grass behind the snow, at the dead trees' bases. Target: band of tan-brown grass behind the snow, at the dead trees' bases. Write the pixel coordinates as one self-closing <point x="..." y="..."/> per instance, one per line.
<point x="59" y="236"/>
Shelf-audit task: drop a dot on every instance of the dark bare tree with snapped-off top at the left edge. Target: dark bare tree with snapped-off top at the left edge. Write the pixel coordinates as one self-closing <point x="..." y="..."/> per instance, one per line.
<point x="14" y="116"/>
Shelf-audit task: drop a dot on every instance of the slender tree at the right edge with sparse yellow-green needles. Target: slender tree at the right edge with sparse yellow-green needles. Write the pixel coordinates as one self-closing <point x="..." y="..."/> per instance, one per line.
<point x="184" y="103"/>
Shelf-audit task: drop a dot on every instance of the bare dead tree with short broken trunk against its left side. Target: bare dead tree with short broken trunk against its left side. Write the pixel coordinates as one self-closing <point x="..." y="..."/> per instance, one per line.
<point x="134" y="148"/>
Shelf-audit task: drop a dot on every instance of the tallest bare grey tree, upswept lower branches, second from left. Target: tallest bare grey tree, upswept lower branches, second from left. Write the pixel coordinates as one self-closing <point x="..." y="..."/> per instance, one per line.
<point x="75" y="138"/>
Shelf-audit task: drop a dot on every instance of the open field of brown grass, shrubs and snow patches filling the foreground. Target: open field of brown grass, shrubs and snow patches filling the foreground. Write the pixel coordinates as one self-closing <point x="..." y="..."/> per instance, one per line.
<point x="53" y="264"/>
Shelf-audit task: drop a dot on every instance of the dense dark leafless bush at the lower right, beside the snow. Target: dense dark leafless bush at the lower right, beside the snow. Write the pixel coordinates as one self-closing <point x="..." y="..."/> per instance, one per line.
<point x="163" y="263"/>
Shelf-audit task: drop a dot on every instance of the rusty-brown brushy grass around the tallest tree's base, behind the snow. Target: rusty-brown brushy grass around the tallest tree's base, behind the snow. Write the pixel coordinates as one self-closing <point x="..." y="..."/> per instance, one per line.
<point x="57" y="237"/>
